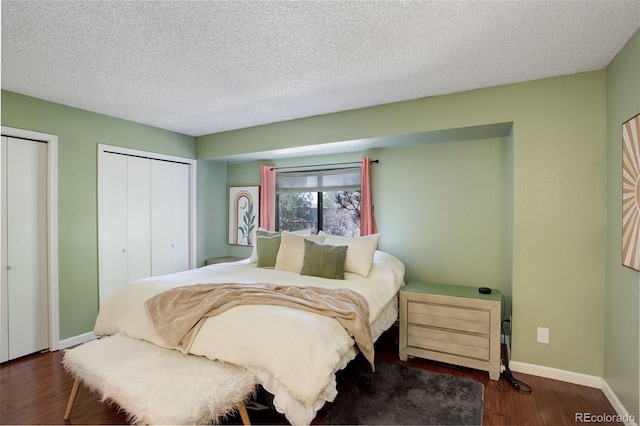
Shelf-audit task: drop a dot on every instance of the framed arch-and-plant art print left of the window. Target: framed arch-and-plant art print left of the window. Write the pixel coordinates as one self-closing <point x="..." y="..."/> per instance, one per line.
<point x="243" y="214"/>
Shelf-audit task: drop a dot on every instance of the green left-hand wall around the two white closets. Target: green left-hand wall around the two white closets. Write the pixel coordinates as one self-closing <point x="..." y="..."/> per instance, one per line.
<point x="79" y="132"/>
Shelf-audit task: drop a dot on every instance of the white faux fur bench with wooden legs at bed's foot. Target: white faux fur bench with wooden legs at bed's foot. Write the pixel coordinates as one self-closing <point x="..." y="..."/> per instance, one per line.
<point x="156" y="385"/>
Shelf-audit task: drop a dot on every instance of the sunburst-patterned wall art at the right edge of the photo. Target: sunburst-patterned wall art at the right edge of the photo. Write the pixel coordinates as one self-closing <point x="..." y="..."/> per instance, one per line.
<point x="631" y="193"/>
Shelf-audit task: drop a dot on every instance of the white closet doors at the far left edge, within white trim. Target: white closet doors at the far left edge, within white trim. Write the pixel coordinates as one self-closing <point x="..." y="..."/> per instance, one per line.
<point x="25" y="314"/>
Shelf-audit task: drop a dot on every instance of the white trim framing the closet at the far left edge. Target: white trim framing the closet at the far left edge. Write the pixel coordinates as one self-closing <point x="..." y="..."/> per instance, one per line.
<point x="52" y="225"/>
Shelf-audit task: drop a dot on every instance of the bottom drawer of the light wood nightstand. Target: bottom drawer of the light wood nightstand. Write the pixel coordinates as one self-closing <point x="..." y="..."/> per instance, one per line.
<point x="449" y="342"/>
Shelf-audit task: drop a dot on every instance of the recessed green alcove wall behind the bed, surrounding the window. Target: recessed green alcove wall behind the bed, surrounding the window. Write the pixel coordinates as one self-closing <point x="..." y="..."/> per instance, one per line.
<point x="456" y="217"/>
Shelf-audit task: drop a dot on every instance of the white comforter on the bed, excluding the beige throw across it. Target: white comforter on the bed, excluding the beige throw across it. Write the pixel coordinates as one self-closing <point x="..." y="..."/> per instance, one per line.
<point x="294" y="353"/>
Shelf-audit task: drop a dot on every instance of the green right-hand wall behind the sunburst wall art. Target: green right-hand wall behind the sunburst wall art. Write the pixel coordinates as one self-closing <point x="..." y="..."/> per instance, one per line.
<point x="622" y="295"/>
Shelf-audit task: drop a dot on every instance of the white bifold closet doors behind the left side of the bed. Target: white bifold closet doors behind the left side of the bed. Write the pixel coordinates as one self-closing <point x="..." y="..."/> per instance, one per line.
<point x="145" y="218"/>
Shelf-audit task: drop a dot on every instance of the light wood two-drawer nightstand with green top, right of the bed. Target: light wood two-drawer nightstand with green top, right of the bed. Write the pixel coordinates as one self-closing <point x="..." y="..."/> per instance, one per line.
<point x="451" y="324"/>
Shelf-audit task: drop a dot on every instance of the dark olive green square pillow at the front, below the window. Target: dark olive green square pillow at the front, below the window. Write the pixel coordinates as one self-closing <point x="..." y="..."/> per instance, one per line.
<point x="325" y="261"/>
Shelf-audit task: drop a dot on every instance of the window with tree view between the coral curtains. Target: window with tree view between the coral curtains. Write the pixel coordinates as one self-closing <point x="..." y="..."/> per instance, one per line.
<point x="327" y="200"/>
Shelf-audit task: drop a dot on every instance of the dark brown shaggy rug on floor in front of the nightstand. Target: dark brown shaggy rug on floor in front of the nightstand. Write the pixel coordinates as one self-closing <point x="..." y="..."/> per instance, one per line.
<point x="399" y="395"/>
